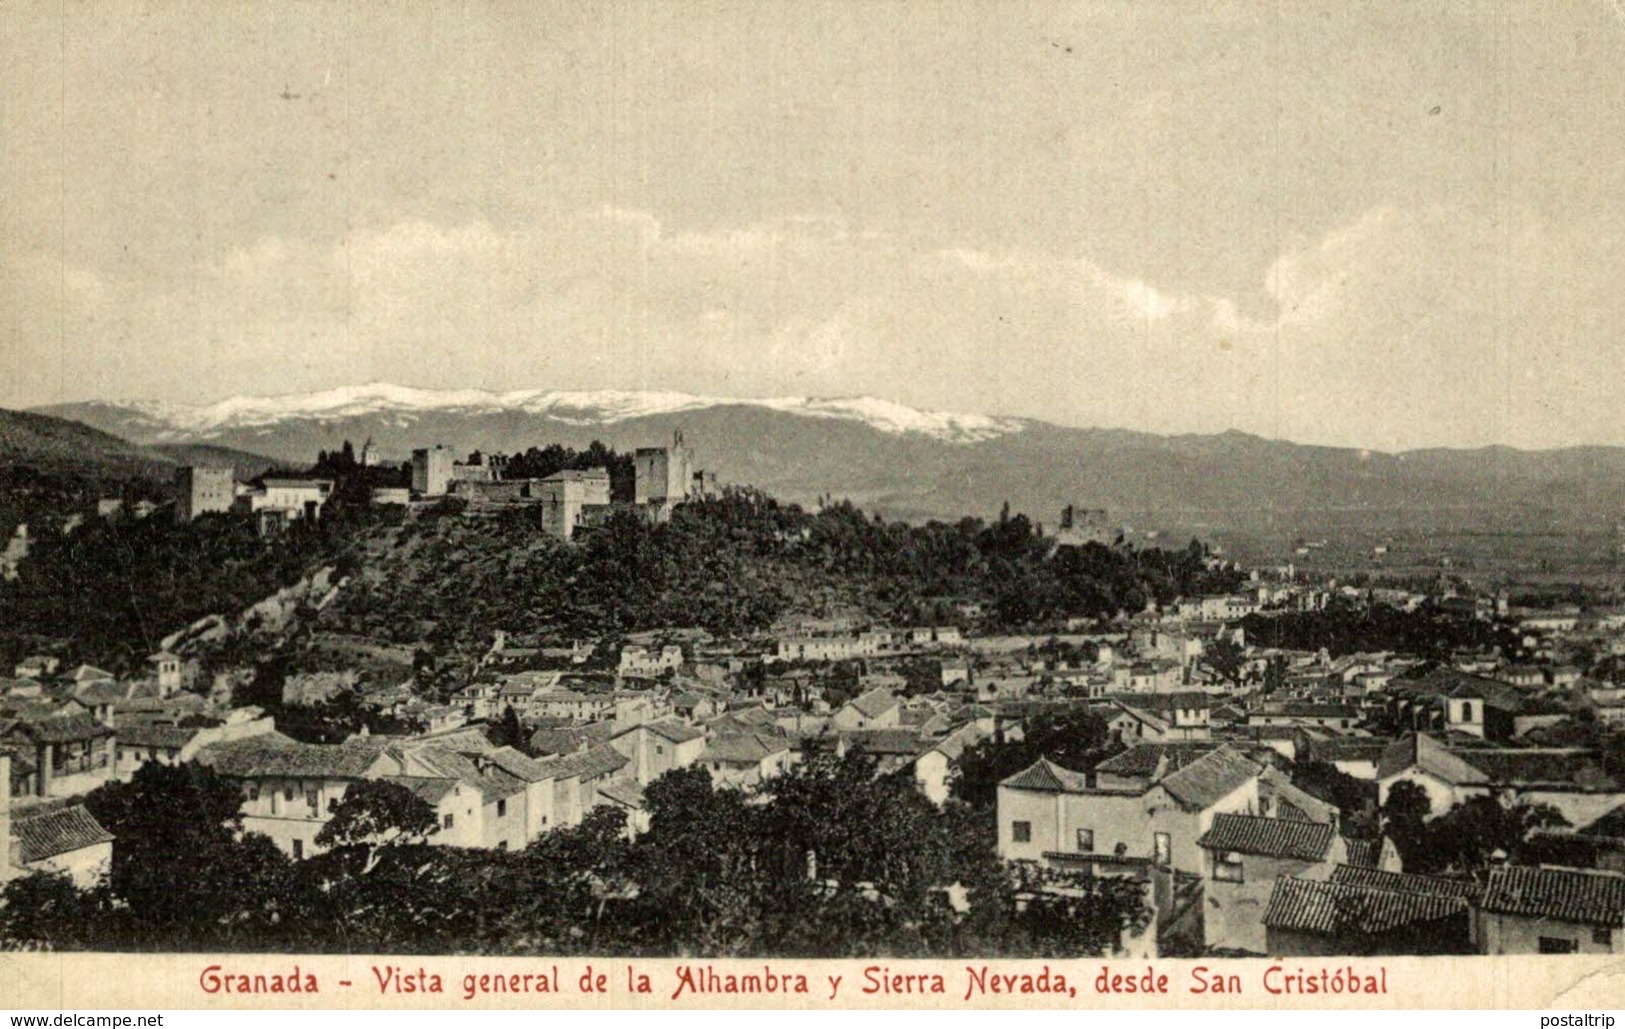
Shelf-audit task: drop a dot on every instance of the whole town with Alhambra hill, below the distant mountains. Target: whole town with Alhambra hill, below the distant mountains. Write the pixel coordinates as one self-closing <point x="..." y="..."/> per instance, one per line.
<point x="1088" y="750"/>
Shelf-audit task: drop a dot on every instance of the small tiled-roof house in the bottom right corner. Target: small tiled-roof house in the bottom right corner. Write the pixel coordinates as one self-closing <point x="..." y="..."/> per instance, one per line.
<point x="1553" y="911"/>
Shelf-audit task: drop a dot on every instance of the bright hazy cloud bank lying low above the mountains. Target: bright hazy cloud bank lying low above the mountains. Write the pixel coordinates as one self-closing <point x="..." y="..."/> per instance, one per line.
<point x="1403" y="328"/>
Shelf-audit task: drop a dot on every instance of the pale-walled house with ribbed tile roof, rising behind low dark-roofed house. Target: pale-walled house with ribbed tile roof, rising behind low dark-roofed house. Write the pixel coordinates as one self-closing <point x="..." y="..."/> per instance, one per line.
<point x="1244" y="856"/>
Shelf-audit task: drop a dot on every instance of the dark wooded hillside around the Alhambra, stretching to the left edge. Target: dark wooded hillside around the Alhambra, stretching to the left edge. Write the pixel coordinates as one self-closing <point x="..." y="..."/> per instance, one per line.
<point x="730" y="565"/>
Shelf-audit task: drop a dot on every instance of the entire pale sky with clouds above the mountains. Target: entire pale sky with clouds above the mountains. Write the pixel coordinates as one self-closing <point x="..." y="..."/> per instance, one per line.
<point x="1359" y="225"/>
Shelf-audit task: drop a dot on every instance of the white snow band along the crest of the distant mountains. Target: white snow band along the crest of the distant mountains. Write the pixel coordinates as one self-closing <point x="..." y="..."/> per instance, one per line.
<point x="176" y="422"/>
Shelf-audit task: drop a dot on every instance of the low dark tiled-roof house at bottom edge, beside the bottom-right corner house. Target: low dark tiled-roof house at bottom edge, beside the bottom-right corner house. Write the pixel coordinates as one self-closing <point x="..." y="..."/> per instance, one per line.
<point x="1340" y="918"/>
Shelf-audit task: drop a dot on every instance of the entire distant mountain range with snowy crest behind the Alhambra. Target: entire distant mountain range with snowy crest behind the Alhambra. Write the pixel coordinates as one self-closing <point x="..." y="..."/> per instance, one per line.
<point x="908" y="464"/>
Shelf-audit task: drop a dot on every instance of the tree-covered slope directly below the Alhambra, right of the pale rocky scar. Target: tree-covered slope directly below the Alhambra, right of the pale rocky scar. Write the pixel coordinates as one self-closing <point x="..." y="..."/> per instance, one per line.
<point x="735" y="563"/>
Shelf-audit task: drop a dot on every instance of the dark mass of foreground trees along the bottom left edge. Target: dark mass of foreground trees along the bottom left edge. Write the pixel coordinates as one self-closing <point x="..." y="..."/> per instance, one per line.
<point x="830" y="861"/>
